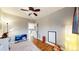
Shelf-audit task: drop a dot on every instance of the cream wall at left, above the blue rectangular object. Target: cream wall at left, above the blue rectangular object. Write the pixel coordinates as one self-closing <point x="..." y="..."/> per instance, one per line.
<point x="16" y="25"/>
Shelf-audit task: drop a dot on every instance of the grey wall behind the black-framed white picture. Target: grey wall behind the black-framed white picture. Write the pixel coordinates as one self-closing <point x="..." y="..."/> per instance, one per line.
<point x="55" y="22"/>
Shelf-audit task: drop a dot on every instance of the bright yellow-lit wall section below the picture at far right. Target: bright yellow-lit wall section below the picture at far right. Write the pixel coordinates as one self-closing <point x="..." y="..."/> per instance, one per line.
<point x="71" y="39"/>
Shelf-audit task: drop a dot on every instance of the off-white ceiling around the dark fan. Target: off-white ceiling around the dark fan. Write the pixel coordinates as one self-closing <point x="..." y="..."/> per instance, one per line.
<point x="44" y="11"/>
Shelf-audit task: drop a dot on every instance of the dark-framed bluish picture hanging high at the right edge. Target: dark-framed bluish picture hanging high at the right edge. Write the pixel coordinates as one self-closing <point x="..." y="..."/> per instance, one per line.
<point x="75" y="24"/>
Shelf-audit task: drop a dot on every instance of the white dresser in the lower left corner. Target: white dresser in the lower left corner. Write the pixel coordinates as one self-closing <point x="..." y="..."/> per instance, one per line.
<point x="4" y="44"/>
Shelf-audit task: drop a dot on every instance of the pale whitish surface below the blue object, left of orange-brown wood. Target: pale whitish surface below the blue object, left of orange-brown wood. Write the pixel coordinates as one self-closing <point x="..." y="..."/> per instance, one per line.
<point x="24" y="46"/>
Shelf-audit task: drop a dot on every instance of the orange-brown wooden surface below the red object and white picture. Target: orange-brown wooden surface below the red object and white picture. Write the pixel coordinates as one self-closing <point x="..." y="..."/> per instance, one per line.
<point x="46" y="47"/>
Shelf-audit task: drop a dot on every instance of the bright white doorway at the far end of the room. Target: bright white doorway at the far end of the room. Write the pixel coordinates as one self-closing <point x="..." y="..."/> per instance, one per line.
<point x="32" y="31"/>
